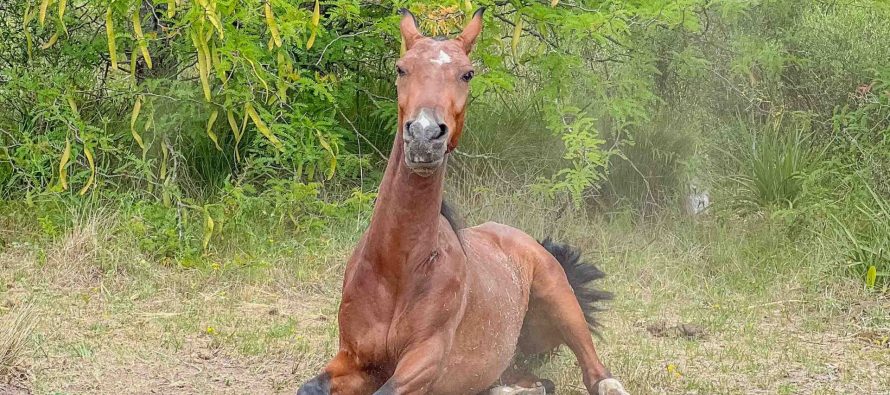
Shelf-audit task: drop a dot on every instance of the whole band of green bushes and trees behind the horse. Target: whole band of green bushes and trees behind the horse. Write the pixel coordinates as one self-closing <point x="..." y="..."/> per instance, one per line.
<point x="224" y="122"/>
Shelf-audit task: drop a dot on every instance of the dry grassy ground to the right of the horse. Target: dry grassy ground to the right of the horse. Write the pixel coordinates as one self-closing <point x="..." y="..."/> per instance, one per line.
<point x="770" y="313"/>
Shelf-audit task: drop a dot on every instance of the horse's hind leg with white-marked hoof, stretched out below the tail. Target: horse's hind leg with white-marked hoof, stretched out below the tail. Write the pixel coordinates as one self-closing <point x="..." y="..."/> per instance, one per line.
<point x="551" y="288"/>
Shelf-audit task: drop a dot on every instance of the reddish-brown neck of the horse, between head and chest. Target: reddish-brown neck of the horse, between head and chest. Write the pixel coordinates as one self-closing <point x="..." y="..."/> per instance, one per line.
<point x="404" y="225"/>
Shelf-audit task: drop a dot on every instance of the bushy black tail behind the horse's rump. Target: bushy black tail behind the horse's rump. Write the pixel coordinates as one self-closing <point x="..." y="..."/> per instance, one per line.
<point x="581" y="276"/>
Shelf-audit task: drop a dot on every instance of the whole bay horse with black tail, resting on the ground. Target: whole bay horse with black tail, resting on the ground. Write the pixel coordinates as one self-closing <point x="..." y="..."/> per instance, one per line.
<point x="428" y="309"/>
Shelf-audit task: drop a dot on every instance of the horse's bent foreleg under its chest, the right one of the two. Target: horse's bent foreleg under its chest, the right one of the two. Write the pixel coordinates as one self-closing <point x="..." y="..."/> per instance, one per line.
<point x="418" y="369"/>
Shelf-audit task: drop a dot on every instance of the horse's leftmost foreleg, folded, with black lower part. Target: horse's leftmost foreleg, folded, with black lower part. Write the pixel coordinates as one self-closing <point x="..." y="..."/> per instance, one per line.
<point x="340" y="377"/>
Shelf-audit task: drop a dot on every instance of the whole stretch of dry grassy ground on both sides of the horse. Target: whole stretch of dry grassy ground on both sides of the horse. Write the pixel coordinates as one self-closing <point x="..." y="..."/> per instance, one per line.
<point x="775" y="314"/>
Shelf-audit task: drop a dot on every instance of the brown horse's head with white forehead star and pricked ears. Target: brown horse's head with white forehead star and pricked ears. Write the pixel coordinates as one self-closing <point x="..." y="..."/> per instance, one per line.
<point x="433" y="85"/>
